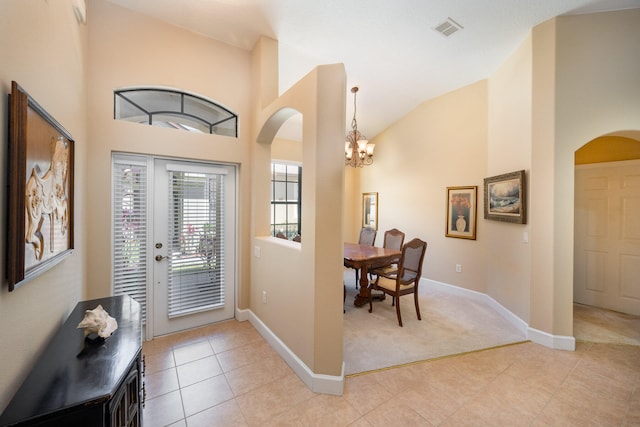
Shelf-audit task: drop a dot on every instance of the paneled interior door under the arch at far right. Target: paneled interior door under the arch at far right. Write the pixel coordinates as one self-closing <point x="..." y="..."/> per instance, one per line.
<point x="607" y="236"/>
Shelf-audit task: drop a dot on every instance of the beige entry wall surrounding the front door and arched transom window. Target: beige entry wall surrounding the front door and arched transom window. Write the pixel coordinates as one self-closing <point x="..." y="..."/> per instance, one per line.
<point x="144" y="51"/>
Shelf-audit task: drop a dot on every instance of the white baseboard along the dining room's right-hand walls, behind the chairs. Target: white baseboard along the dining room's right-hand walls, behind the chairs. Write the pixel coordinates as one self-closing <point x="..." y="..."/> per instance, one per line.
<point x="558" y="342"/>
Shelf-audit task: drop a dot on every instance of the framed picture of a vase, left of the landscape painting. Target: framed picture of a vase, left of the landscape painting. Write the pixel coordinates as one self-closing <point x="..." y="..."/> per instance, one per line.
<point x="461" y="212"/>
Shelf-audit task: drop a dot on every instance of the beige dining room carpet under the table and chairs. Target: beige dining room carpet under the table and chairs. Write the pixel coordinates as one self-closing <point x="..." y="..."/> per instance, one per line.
<point x="451" y="324"/>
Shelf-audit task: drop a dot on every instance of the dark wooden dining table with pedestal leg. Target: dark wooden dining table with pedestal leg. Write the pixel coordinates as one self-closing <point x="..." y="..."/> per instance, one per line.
<point x="365" y="258"/>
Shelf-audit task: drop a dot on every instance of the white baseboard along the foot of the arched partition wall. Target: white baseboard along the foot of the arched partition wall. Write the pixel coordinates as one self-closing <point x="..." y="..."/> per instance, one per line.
<point x="319" y="383"/>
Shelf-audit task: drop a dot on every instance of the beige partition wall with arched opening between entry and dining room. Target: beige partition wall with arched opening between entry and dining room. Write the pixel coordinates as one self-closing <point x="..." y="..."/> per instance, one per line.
<point x="303" y="282"/>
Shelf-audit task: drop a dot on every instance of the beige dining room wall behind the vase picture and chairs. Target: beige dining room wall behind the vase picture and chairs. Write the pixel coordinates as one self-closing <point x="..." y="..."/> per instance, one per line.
<point x="442" y="143"/>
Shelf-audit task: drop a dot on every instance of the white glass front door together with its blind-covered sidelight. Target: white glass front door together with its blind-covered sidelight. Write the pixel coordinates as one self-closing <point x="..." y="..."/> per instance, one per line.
<point x="174" y="228"/>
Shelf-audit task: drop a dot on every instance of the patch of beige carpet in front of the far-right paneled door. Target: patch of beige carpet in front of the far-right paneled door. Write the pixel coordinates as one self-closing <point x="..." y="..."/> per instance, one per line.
<point x="599" y="325"/>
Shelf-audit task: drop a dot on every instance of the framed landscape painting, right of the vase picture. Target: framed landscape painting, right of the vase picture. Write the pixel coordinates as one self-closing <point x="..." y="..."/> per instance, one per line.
<point x="505" y="198"/>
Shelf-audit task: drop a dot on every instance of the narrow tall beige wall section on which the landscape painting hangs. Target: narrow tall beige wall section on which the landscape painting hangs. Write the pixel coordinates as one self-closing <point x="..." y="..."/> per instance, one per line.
<point x="509" y="150"/>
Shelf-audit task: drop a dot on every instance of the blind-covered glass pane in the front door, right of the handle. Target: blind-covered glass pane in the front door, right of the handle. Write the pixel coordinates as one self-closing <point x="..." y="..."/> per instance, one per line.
<point x="196" y="241"/>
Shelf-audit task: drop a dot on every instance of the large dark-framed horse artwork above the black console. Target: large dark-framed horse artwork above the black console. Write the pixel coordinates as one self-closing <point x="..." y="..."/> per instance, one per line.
<point x="40" y="216"/>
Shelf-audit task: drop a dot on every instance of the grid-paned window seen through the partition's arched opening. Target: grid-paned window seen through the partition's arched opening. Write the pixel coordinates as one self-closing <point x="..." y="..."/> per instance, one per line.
<point x="286" y="206"/>
